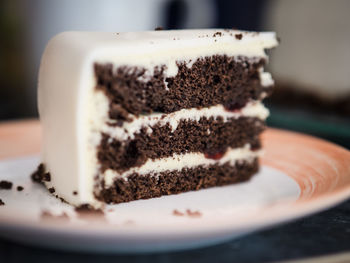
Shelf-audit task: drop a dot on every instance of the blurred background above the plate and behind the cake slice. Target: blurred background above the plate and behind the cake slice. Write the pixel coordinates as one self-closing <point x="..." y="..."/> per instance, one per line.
<point x="311" y="66"/>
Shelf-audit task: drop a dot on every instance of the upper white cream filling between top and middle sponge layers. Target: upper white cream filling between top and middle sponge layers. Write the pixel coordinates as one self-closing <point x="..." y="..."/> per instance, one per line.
<point x="128" y="129"/>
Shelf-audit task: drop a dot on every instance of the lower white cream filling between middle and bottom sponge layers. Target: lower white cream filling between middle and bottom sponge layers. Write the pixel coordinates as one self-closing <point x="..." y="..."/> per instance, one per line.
<point x="180" y="161"/>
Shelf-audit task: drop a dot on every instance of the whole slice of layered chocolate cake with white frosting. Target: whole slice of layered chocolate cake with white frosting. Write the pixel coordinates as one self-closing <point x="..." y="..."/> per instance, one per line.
<point x="129" y="116"/>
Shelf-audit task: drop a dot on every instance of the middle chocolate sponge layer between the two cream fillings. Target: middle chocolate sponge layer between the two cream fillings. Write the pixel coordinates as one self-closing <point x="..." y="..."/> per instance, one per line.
<point x="210" y="136"/>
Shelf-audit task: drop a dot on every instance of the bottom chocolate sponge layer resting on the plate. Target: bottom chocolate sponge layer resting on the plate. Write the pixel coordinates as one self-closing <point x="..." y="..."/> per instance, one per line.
<point x="174" y="182"/>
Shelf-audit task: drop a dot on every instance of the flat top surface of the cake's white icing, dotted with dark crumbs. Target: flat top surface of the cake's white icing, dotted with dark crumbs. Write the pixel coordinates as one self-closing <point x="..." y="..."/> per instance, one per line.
<point x="152" y="40"/>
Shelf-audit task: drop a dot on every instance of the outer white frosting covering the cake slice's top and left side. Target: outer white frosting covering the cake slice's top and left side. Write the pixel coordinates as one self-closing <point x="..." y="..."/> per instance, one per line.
<point x="67" y="82"/>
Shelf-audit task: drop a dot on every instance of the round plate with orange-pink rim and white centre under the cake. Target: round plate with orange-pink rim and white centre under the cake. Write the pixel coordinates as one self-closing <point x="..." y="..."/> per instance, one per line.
<point x="299" y="175"/>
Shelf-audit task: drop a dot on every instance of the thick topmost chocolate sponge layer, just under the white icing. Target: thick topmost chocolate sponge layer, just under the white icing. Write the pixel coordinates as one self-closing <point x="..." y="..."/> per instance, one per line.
<point x="218" y="79"/>
